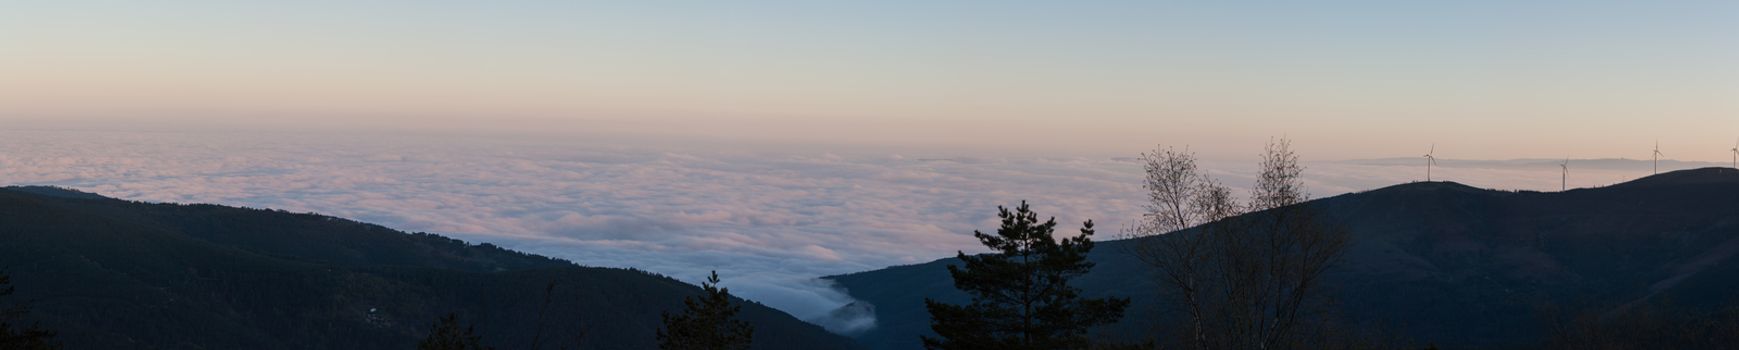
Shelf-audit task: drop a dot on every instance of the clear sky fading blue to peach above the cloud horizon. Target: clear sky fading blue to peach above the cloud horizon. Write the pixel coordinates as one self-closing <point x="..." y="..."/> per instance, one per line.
<point x="1484" y="79"/>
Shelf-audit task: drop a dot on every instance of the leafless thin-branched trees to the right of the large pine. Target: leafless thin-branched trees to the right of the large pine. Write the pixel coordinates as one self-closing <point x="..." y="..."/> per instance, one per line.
<point x="1248" y="281"/>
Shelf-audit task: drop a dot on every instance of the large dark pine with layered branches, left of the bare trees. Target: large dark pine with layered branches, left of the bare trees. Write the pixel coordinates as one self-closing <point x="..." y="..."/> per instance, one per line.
<point x="1022" y="295"/>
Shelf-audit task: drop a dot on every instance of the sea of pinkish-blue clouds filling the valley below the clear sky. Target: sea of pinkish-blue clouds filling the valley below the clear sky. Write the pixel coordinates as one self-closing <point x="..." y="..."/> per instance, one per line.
<point x="770" y="220"/>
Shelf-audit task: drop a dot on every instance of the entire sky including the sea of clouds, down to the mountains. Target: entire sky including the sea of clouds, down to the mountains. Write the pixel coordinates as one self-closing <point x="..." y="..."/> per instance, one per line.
<point x="778" y="142"/>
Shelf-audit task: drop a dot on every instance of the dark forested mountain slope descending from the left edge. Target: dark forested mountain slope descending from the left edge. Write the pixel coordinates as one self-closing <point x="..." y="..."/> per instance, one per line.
<point x="114" y="274"/>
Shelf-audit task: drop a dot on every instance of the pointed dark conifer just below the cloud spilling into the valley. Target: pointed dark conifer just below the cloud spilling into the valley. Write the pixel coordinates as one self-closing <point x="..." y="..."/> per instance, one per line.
<point x="707" y="323"/>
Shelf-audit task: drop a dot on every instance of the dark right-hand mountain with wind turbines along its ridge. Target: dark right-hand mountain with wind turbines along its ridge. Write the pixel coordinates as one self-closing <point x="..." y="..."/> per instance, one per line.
<point x="1444" y="262"/>
